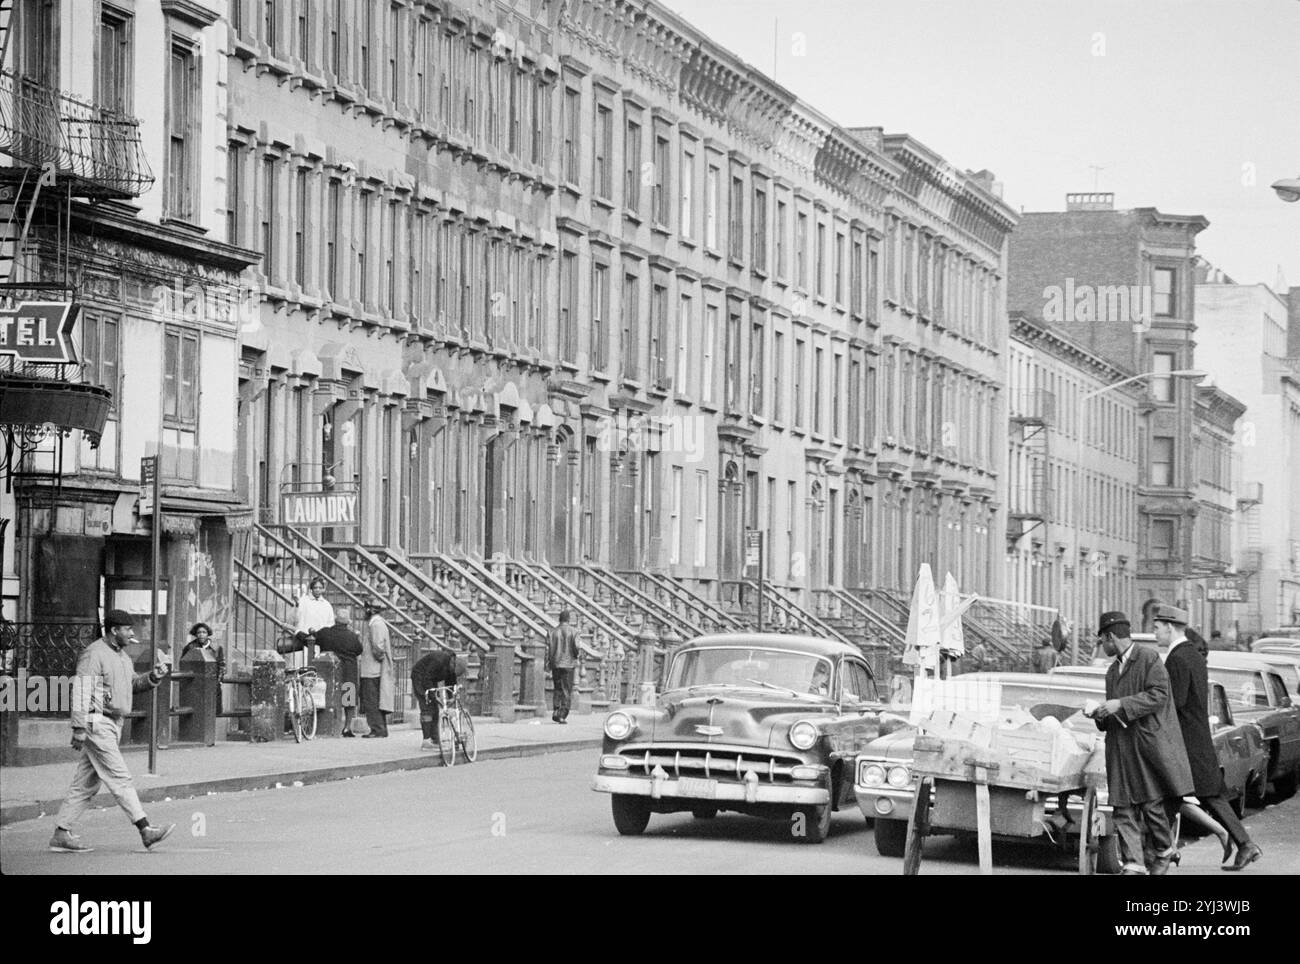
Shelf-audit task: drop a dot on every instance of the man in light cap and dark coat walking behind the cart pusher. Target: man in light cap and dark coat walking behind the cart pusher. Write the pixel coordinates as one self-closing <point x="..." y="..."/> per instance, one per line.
<point x="1189" y="681"/>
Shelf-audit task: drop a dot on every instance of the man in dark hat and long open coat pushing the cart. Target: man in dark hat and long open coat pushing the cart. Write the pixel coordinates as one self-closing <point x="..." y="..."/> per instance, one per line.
<point x="1147" y="770"/>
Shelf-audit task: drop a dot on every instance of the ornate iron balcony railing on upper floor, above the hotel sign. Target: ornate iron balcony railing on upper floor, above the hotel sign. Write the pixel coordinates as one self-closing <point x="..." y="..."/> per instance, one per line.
<point x="98" y="149"/>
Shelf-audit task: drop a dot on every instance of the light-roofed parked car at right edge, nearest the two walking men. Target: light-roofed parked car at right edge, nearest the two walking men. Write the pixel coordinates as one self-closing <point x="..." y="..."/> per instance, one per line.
<point x="1258" y="693"/>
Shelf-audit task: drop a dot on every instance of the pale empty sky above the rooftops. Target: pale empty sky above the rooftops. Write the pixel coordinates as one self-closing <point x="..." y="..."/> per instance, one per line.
<point x="1191" y="107"/>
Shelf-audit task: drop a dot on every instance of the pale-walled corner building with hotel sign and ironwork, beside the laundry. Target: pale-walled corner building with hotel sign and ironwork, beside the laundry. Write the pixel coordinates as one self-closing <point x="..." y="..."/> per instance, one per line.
<point x="127" y="223"/>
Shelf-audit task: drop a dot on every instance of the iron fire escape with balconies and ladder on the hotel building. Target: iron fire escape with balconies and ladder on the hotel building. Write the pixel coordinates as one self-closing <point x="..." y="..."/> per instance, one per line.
<point x="62" y="150"/>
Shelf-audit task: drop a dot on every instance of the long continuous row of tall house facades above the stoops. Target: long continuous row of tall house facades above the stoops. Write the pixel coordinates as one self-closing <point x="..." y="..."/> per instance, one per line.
<point x="569" y="281"/>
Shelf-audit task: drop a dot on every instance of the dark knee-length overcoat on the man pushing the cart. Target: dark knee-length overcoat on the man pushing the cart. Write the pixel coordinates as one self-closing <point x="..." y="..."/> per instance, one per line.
<point x="1146" y="758"/>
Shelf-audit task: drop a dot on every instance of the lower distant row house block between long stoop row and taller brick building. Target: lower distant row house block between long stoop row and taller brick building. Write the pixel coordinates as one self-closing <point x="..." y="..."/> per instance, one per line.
<point x="1073" y="476"/>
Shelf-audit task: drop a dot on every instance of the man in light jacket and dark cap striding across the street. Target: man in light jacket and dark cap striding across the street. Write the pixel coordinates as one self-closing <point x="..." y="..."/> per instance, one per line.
<point x="102" y="697"/>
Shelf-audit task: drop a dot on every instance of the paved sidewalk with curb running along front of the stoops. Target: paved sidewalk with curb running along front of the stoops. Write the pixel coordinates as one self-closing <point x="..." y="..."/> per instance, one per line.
<point x="32" y="792"/>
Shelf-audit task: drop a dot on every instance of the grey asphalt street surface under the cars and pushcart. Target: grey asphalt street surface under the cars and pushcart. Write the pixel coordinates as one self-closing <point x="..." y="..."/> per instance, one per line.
<point x="530" y="815"/>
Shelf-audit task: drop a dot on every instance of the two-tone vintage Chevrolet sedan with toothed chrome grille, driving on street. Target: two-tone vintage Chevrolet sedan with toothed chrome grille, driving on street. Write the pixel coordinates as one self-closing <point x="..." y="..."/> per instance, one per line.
<point x="760" y="724"/>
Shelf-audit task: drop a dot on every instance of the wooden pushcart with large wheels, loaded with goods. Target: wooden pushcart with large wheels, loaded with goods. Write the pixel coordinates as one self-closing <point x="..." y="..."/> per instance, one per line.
<point x="970" y="789"/>
